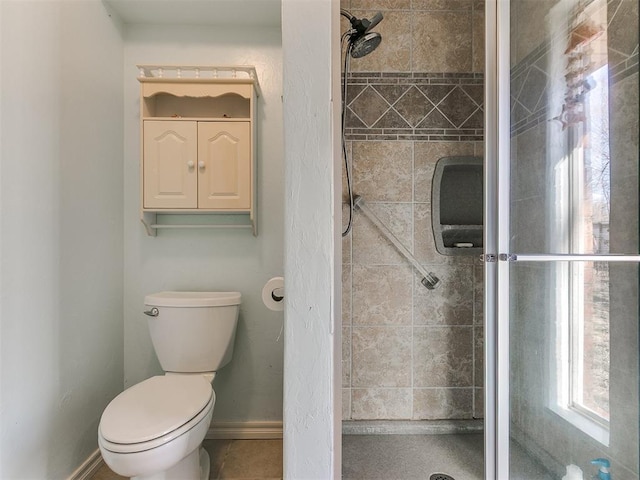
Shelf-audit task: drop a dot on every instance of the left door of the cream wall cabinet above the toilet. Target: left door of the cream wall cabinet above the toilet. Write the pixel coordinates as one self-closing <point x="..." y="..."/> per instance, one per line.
<point x="169" y="165"/>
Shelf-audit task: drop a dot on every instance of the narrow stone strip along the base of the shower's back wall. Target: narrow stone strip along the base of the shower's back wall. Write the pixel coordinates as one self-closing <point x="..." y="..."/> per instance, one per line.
<point x="410" y="427"/>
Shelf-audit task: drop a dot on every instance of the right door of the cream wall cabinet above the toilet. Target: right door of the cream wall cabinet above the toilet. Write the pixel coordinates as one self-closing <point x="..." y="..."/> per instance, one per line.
<point x="224" y="165"/>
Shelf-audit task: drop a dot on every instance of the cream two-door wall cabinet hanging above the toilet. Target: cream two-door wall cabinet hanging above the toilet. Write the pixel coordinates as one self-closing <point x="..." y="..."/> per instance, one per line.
<point x="198" y="147"/>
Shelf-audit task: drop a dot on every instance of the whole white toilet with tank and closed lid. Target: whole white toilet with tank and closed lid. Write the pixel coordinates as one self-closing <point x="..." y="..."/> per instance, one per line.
<point x="154" y="430"/>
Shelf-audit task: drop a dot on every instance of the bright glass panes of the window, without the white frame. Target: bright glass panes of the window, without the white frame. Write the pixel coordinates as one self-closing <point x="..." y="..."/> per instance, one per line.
<point x="589" y="281"/>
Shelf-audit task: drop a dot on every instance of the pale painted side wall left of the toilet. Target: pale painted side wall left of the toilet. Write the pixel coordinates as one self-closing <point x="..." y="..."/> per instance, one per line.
<point x="61" y="232"/>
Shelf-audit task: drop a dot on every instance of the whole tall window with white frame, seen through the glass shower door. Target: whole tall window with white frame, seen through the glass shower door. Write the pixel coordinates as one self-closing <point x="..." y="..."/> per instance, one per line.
<point x="580" y="357"/>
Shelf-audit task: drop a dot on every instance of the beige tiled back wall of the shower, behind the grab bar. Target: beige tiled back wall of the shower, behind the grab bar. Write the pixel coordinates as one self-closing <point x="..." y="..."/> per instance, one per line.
<point x="408" y="352"/>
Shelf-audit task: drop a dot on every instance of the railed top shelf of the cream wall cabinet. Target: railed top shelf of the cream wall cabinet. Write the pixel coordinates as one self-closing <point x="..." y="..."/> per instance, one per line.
<point x="199" y="74"/>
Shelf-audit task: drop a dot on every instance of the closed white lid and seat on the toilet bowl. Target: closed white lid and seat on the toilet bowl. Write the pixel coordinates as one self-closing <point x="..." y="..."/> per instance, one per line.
<point x="154" y="412"/>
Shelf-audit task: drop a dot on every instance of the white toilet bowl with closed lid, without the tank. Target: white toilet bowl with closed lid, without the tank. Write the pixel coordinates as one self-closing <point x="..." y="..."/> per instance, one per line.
<point x="156" y="427"/>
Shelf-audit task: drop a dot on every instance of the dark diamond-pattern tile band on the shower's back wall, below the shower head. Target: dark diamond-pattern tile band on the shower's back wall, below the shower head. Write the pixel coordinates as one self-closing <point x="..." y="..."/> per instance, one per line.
<point x="415" y="106"/>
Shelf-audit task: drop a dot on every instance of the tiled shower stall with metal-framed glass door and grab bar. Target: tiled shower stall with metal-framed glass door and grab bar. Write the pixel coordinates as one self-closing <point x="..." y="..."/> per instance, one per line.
<point x="534" y="340"/>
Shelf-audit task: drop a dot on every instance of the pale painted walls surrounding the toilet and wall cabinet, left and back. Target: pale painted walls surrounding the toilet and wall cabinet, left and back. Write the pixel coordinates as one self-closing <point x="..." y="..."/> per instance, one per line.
<point x="70" y="231"/>
